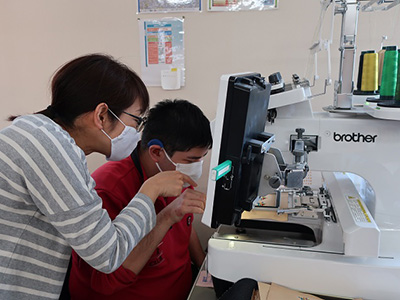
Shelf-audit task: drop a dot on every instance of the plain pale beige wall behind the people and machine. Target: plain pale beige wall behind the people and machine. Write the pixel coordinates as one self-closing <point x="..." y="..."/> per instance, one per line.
<point x="37" y="36"/>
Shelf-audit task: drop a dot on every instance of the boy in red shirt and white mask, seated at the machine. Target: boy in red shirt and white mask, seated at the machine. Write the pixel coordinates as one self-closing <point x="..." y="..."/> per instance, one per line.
<point x="176" y="136"/>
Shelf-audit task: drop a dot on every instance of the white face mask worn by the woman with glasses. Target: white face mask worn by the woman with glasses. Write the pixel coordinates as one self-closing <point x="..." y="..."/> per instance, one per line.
<point x="123" y="145"/>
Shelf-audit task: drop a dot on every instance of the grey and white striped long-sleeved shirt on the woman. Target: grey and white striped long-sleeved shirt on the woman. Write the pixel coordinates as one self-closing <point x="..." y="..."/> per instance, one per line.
<point x="48" y="205"/>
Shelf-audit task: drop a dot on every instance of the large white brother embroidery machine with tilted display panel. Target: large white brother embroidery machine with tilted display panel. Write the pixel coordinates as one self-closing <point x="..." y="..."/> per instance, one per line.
<point x="307" y="200"/>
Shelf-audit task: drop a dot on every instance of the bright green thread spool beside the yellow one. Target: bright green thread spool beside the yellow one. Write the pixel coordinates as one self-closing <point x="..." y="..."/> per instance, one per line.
<point x="389" y="75"/>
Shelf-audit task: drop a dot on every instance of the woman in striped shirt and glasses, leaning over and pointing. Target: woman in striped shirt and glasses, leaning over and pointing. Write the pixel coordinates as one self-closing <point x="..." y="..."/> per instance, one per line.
<point x="47" y="199"/>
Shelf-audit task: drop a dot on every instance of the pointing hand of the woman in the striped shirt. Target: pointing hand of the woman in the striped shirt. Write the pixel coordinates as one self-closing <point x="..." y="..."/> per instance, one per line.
<point x="165" y="184"/>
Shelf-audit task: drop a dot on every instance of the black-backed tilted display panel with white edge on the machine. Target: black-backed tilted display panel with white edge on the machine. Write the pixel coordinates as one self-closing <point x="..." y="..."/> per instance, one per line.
<point x="238" y="139"/>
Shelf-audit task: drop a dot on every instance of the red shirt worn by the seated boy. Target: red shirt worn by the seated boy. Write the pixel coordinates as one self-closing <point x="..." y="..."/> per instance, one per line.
<point x="167" y="275"/>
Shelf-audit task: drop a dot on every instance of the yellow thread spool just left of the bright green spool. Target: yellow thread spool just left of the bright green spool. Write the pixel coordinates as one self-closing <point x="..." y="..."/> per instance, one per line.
<point x="369" y="79"/>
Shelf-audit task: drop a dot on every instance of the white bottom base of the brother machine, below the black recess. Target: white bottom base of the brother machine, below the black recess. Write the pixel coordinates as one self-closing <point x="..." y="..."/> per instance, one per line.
<point x="312" y="272"/>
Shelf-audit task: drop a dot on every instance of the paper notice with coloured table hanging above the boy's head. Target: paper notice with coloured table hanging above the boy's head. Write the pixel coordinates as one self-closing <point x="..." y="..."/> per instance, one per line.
<point x="162" y="49"/>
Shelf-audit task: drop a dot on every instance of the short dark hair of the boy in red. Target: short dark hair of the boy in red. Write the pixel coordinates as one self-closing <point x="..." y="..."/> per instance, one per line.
<point x="179" y="125"/>
